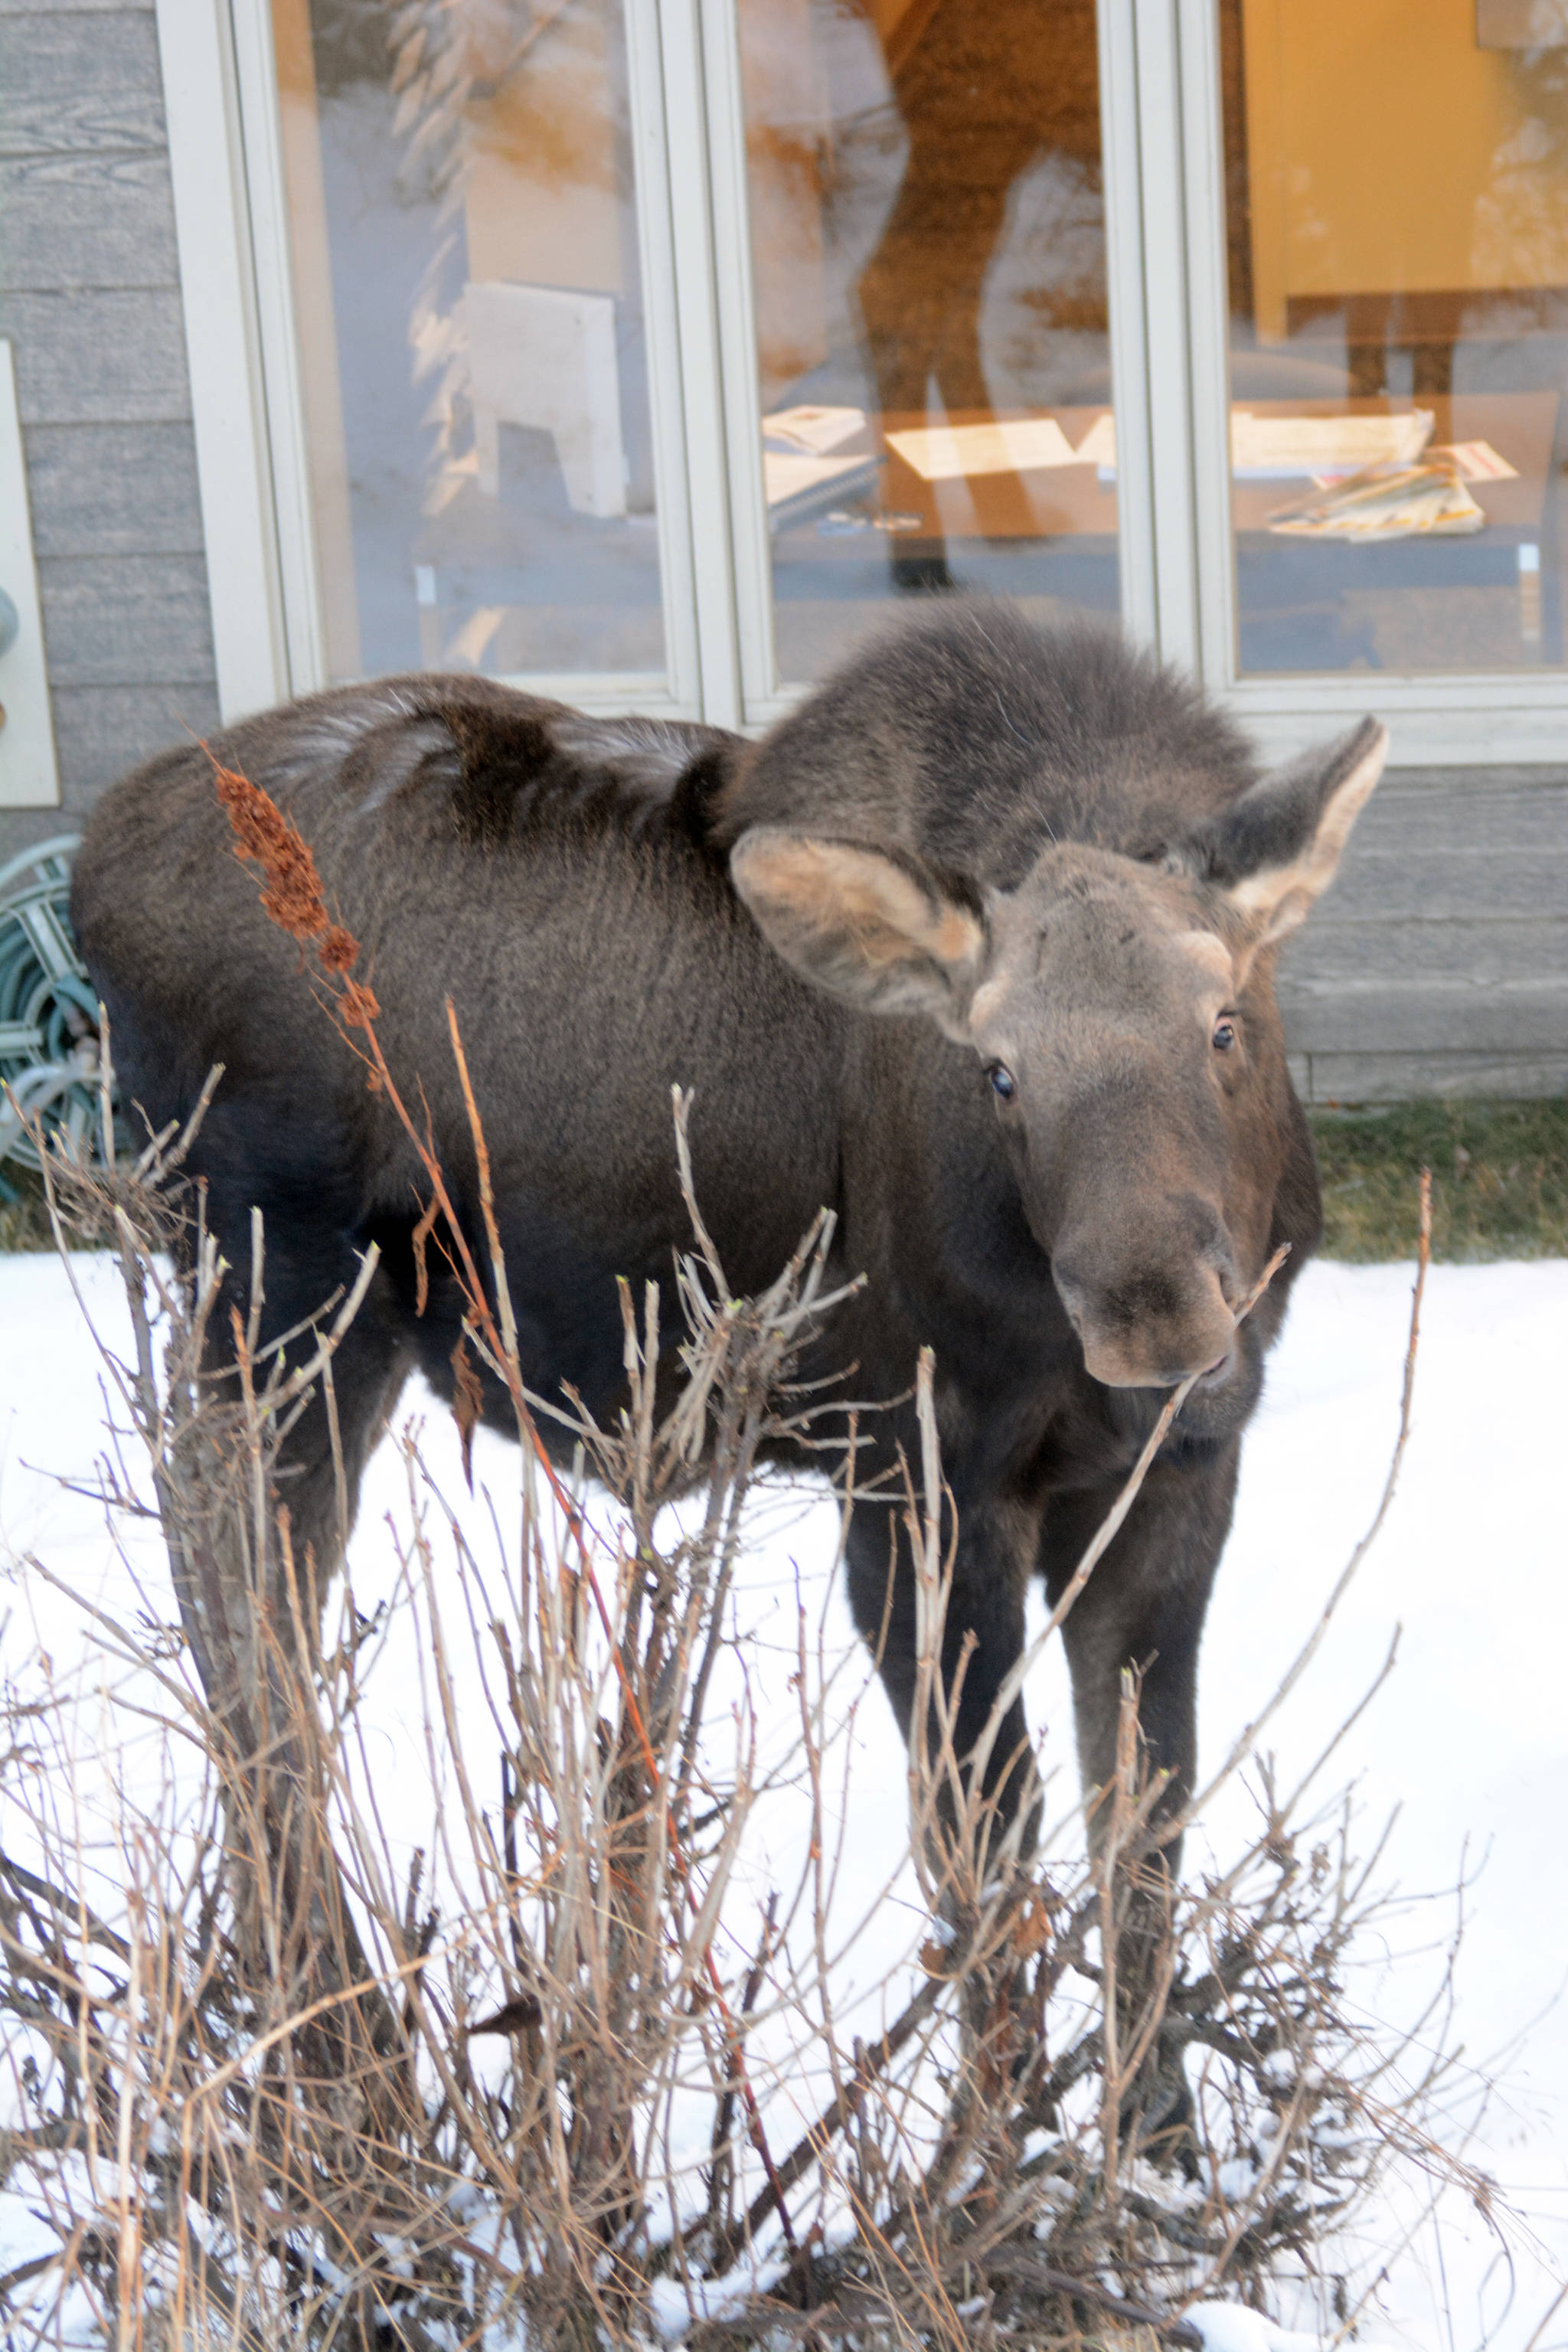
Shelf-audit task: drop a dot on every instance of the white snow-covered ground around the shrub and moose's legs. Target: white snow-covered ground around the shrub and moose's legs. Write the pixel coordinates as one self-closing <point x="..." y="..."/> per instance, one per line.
<point x="1468" y="1739"/>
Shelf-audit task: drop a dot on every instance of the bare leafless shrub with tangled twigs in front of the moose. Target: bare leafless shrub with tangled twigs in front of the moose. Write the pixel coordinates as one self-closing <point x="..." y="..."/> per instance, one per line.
<point x="283" y="2078"/>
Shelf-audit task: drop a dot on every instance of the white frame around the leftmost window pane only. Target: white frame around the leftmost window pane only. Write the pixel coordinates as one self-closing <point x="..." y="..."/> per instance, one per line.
<point x="246" y="375"/>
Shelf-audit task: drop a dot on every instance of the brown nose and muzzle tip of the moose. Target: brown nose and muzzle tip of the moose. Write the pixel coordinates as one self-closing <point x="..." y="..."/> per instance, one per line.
<point x="1155" y="1309"/>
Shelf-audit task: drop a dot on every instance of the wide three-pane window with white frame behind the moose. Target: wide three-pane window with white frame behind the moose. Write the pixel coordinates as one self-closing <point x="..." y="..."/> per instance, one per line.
<point x="652" y="354"/>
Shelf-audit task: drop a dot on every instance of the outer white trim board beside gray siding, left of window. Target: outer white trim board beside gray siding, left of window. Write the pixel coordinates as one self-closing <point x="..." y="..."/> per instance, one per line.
<point x="234" y="465"/>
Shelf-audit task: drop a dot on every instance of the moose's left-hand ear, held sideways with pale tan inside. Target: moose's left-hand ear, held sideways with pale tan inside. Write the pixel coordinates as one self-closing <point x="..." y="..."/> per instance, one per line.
<point x="866" y="926"/>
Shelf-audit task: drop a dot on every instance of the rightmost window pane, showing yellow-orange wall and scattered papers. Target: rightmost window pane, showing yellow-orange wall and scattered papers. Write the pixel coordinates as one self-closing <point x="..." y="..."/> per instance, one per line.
<point x="1398" y="180"/>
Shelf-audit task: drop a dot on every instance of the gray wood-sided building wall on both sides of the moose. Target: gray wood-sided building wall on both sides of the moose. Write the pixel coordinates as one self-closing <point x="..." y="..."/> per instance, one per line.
<point x="1440" y="963"/>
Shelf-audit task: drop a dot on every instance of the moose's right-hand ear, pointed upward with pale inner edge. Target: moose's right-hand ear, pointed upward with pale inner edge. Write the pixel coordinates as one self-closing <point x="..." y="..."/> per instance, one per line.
<point x="1278" y="848"/>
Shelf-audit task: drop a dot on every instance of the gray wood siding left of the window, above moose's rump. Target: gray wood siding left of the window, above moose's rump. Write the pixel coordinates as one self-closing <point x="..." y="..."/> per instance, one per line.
<point x="91" y="302"/>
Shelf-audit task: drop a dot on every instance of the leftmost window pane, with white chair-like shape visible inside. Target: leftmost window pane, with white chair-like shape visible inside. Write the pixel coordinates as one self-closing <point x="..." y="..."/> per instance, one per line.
<point x="471" y="335"/>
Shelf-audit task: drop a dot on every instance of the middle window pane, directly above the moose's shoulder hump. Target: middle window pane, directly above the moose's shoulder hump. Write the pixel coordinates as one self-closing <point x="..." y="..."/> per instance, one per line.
<point x="930" y="269"/>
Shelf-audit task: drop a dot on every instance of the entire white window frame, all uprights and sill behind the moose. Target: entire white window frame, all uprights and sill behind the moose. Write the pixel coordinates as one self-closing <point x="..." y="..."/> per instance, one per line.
<point x="1167" y="274"/>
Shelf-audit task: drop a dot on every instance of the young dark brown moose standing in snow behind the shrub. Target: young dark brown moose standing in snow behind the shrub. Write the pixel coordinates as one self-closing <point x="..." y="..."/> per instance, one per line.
<point x="974" y="949"/>
